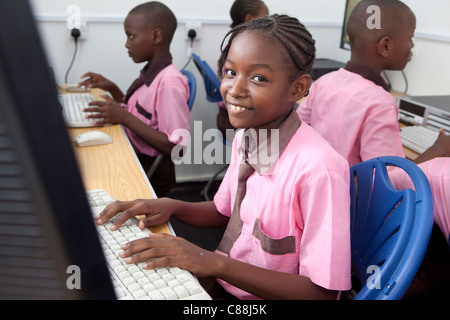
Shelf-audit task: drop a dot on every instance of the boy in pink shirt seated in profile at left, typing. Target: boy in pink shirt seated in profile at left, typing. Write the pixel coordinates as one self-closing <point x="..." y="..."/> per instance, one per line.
<point x="155" y="105"/>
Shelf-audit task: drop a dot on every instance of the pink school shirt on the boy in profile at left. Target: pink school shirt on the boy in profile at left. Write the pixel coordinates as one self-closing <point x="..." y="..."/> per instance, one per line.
<point x="165" y="103"/>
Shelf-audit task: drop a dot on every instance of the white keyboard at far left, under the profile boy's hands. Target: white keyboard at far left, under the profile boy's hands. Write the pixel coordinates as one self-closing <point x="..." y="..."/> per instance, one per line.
<point x="73" y="104"/>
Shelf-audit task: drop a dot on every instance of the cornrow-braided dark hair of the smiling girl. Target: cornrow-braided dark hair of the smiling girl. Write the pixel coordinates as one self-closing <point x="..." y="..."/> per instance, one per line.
<point x="291" y="33"/>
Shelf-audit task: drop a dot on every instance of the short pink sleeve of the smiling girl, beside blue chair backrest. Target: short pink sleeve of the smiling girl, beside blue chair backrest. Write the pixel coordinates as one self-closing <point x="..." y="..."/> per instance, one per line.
<point x="325" y="244"/>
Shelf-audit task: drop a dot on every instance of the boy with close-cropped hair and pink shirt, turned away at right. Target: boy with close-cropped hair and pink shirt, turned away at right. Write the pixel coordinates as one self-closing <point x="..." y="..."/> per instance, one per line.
<point x="353" y="109"/>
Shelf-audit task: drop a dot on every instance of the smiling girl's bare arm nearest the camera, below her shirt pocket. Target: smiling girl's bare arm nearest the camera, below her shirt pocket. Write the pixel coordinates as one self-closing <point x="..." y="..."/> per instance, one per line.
<point x="264" y="283"/>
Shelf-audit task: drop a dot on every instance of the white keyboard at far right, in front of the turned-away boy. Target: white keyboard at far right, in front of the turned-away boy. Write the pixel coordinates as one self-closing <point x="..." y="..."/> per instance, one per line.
<point x="418" y="138"/>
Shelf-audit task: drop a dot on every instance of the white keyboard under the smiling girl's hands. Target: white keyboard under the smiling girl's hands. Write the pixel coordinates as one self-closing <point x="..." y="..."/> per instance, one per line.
<point x="131" y="281"/>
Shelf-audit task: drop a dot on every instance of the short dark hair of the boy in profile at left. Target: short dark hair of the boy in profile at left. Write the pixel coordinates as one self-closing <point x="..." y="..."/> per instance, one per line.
<point x="160" y="16"/>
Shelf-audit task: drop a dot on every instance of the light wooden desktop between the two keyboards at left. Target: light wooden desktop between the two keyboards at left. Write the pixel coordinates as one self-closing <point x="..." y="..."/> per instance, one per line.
<point x="114" y="167"/>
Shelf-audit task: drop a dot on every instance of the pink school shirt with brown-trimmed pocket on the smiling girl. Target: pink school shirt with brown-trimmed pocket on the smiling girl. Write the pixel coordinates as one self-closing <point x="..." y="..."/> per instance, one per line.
<point x="307" y="198"/>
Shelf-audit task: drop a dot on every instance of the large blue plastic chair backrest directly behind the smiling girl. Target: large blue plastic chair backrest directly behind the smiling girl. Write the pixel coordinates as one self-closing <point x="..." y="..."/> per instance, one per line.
<point x="390" y="228"/>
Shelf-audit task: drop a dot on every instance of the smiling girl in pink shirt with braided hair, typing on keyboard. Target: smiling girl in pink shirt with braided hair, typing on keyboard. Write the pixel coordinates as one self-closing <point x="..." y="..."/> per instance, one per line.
<point x="288" y="221"/>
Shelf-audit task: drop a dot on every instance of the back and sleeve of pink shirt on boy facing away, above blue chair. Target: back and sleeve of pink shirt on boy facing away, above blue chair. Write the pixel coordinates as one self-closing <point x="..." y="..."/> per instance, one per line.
<point x="358" y="118"/>
